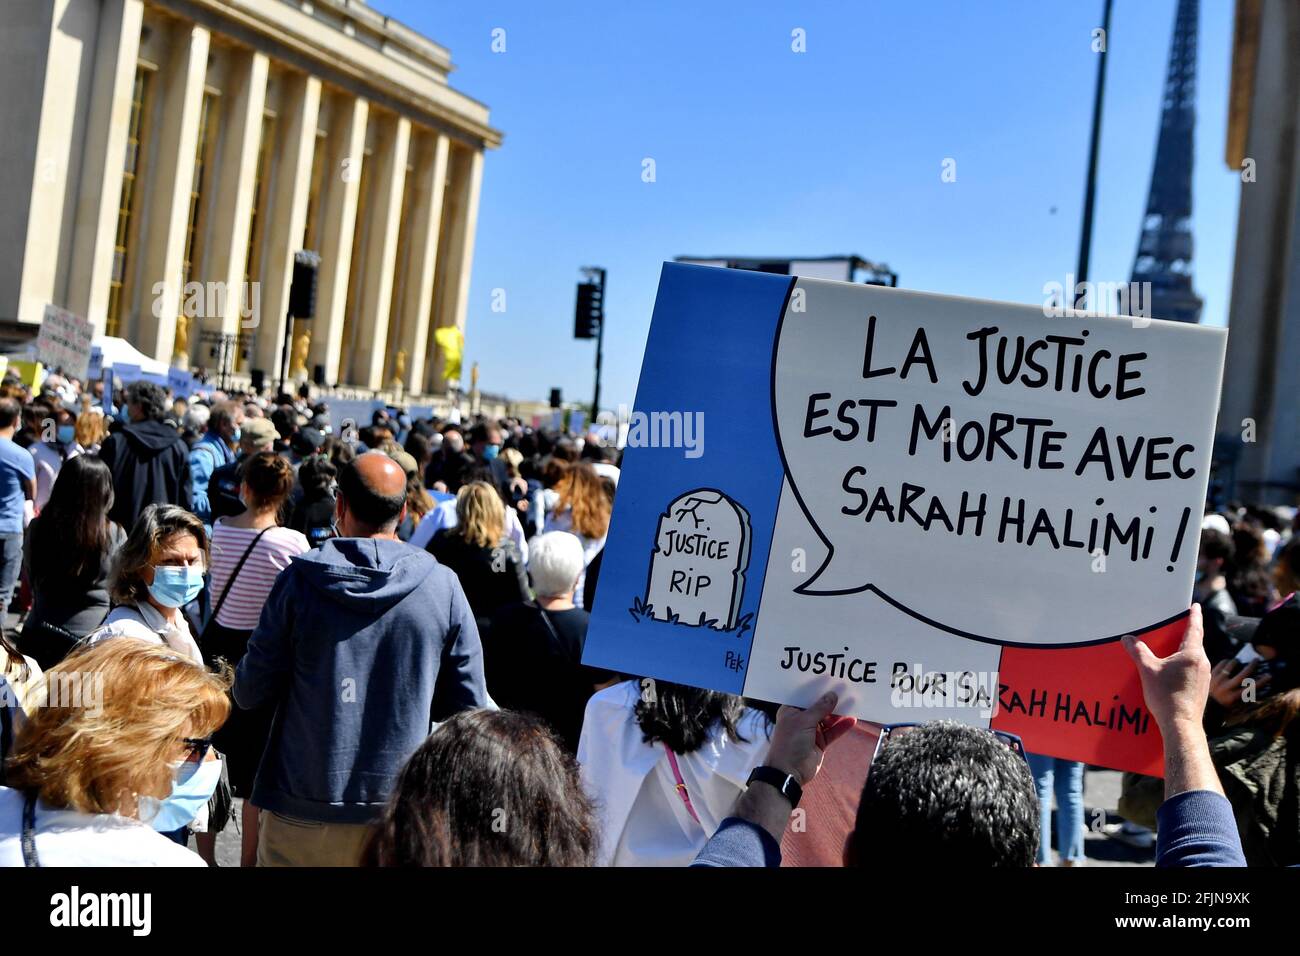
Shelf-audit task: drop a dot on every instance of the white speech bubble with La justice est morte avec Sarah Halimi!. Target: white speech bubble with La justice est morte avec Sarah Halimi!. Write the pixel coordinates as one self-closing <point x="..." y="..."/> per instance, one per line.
<point x="998" y="474"/>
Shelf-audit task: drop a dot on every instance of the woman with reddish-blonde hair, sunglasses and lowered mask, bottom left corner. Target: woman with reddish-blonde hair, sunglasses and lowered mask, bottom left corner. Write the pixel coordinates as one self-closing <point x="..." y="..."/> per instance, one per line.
<point x="119" y="751"/>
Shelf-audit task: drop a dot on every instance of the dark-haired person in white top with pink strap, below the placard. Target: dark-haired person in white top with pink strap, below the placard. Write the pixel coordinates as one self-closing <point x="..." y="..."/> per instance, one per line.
<point x="665" y="765"/>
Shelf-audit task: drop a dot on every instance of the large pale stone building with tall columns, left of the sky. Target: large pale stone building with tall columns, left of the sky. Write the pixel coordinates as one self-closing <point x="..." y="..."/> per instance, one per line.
<point x="166" y="159"/>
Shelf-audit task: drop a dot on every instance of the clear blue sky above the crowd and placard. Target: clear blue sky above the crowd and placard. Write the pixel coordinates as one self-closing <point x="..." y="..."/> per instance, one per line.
<point x="761" y="152"/>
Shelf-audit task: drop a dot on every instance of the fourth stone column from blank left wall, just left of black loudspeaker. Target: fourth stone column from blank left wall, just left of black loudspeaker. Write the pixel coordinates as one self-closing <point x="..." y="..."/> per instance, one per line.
<point x="288" y="214"/>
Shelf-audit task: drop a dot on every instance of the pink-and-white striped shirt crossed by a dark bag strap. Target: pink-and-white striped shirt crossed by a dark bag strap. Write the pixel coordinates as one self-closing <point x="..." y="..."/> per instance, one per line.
<point x="252" y="589"/>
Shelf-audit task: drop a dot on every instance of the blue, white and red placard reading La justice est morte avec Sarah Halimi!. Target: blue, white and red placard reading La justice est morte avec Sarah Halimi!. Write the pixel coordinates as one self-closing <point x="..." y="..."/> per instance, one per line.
<point x="939" y="508"/>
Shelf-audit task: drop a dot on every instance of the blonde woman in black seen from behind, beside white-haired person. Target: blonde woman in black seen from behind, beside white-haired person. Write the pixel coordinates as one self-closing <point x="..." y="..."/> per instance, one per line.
<point x="479" y="551"/>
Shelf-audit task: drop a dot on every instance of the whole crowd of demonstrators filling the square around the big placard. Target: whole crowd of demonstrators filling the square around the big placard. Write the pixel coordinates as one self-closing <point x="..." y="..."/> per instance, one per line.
<point x="372" y="638"/>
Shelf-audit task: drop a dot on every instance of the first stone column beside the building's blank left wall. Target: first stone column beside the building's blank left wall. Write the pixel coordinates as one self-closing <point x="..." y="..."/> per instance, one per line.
<point x="116" y="54"/>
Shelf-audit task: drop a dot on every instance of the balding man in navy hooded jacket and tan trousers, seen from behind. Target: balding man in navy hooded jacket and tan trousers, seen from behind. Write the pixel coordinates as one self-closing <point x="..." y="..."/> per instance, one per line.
<point x="363" y="644"/>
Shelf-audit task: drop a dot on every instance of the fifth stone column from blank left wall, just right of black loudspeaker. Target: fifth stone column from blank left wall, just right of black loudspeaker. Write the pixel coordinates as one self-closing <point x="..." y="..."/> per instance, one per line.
<point x="339" y="223"/>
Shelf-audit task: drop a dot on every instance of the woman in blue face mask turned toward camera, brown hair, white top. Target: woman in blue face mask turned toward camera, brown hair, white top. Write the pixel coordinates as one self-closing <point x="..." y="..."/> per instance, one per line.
<point x="159" y="572"/>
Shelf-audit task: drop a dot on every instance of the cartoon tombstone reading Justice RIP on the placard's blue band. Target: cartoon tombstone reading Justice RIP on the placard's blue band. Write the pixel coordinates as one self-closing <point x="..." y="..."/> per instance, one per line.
<point x="697" y="569"/>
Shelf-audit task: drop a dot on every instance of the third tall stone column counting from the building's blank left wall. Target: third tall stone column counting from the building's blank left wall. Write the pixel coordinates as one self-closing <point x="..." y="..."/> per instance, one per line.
<point x="227" y="243"/>
